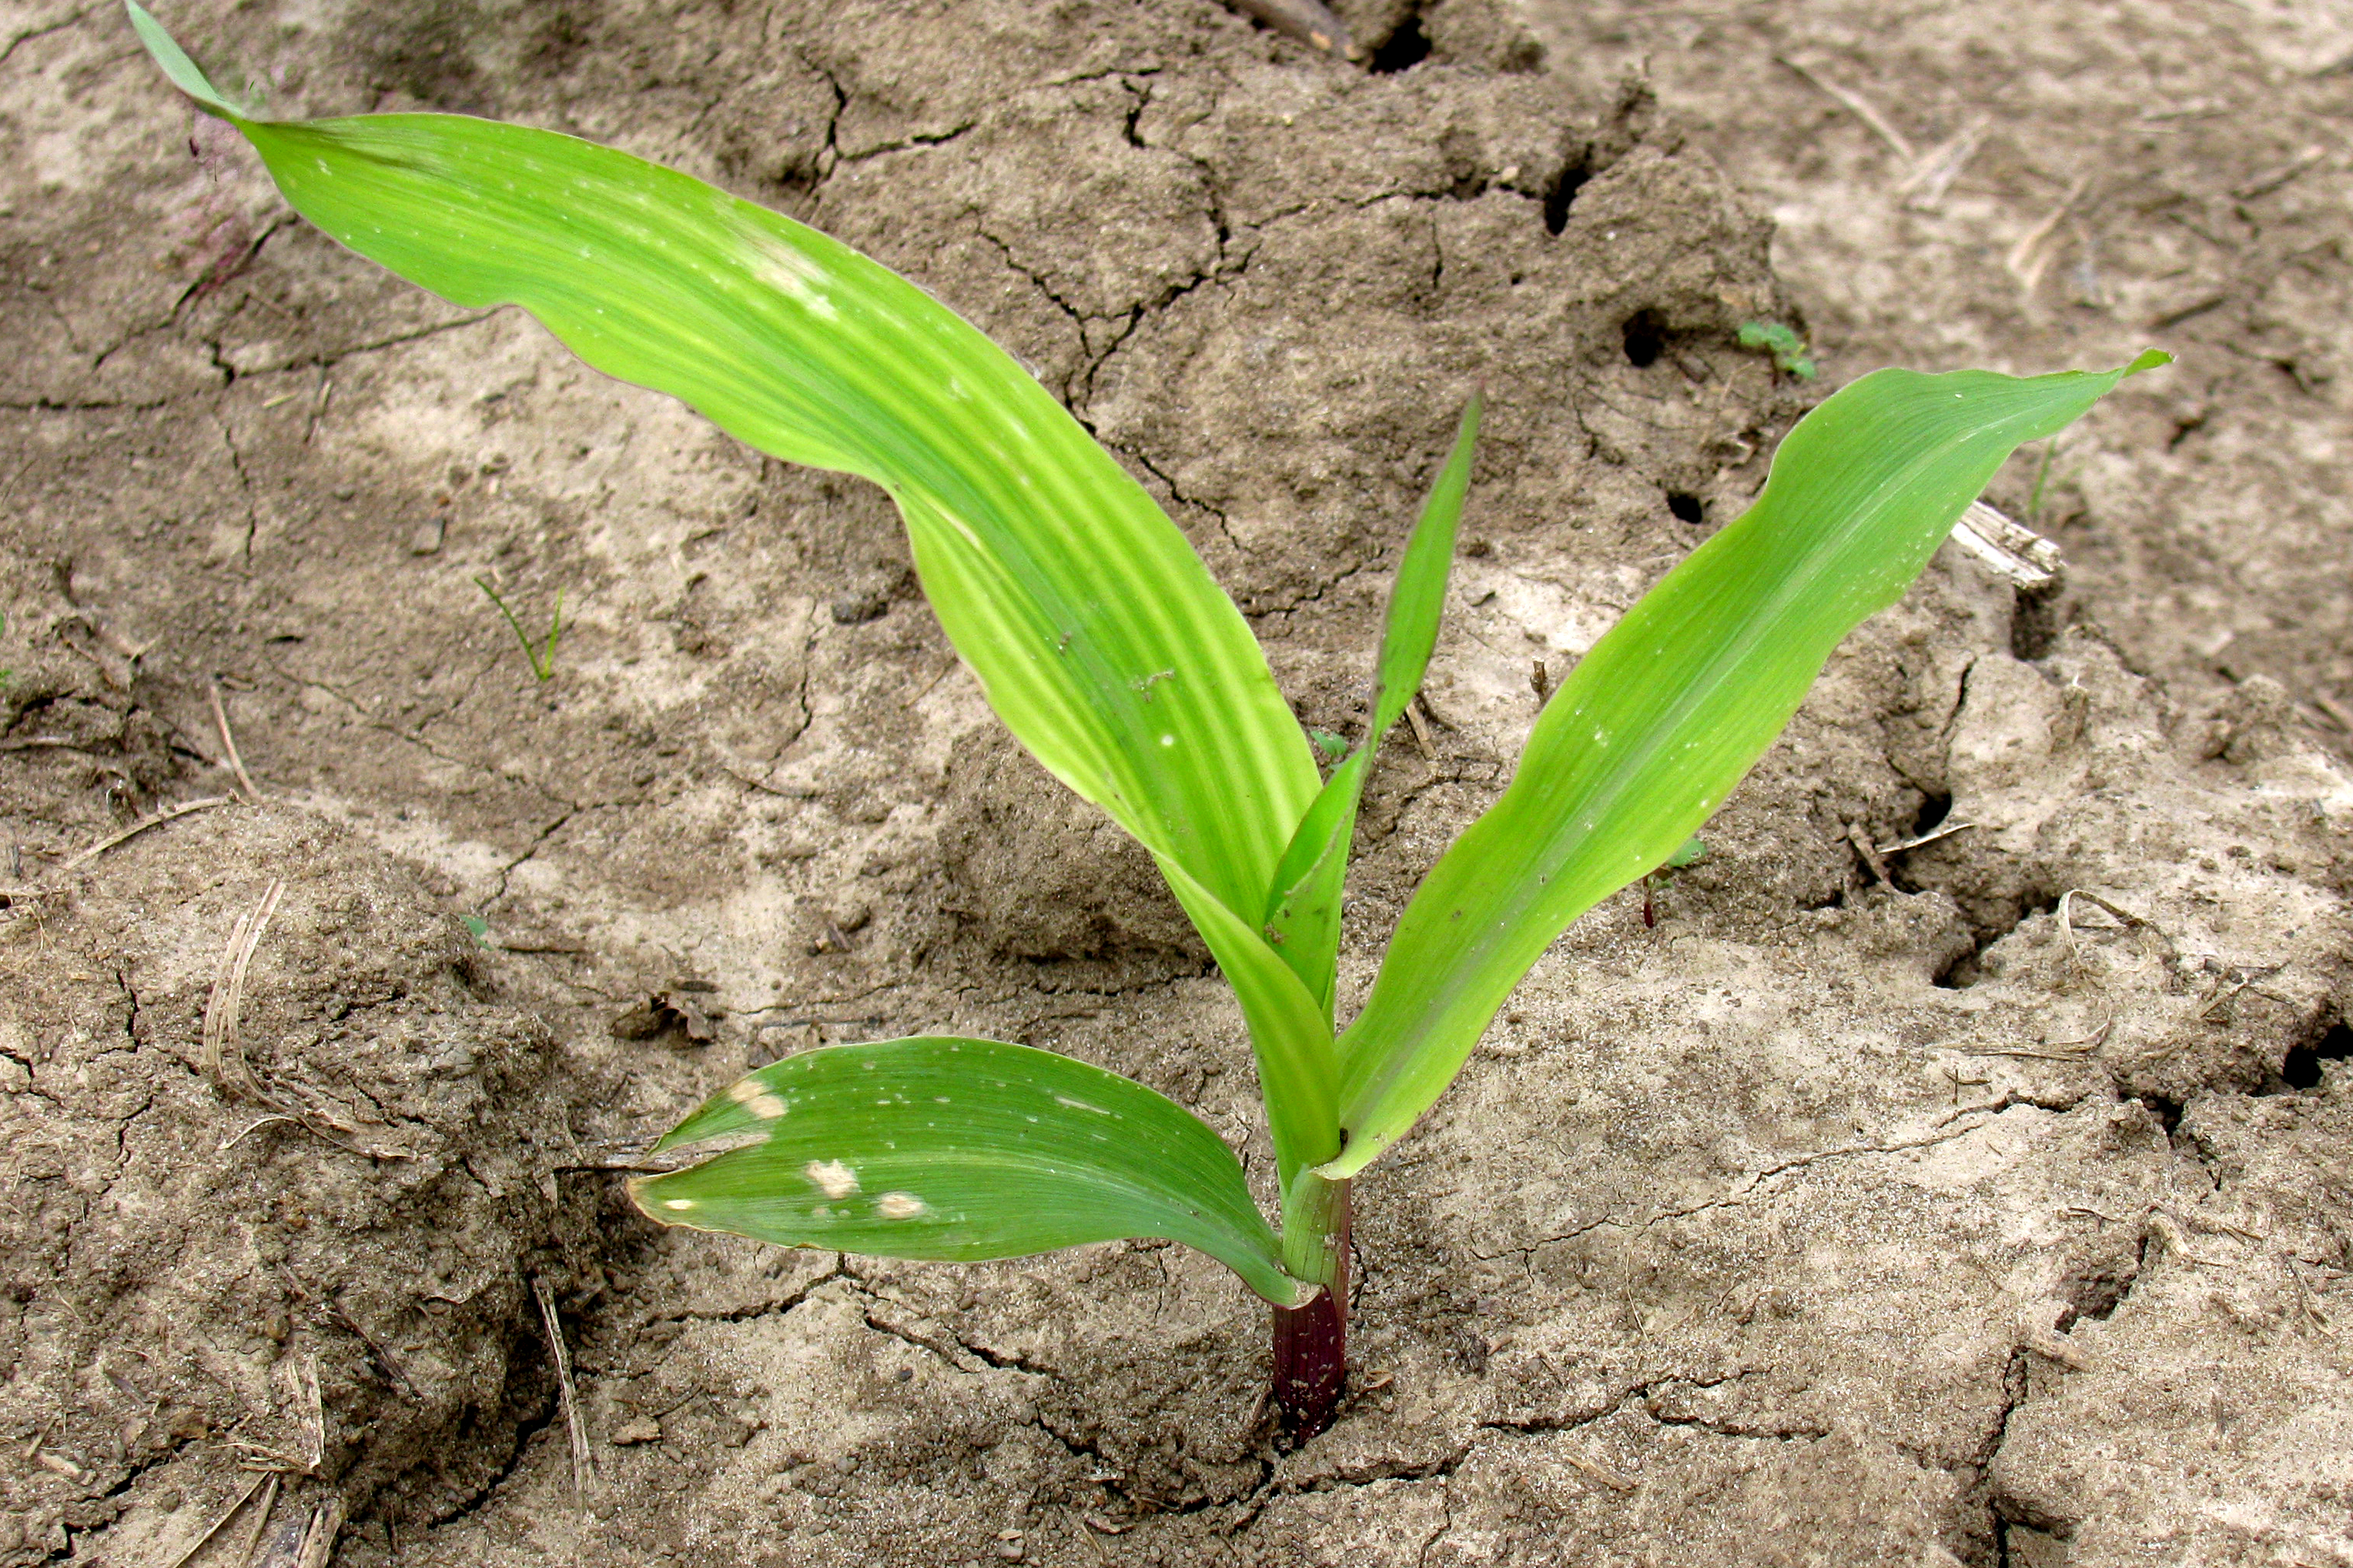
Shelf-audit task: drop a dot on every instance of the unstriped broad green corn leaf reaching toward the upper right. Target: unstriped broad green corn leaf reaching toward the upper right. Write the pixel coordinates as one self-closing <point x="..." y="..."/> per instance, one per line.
<point x="1672" y="709"/>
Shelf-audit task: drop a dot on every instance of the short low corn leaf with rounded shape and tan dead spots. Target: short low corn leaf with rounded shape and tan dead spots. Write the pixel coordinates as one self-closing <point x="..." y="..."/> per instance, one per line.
<point x="961" y="1151"/>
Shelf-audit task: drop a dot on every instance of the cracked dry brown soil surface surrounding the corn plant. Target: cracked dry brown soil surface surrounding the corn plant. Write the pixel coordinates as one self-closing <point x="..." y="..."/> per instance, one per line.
<point x="1973" y="1202"/>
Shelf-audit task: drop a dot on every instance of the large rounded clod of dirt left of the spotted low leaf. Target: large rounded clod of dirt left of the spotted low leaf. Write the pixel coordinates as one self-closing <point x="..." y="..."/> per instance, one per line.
<point x="324" y="1278"/>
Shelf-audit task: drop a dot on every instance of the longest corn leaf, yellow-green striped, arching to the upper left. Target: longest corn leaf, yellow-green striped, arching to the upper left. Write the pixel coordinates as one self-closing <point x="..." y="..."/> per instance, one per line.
<point x="1091" y="624"/>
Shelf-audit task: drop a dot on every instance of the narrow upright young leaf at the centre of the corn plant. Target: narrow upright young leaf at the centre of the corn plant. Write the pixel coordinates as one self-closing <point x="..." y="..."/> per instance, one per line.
<point x="1305" y="899"/>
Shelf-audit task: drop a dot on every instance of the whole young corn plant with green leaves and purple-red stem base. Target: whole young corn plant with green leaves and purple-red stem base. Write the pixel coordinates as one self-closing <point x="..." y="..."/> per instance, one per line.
<point x="1114" y="657"/>
